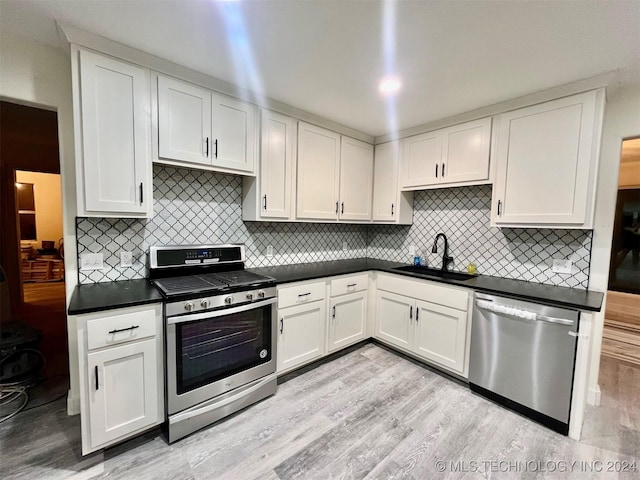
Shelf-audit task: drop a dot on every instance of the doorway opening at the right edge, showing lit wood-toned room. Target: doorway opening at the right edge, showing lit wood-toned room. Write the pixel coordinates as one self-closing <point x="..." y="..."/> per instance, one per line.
<point x="621" y="335"/>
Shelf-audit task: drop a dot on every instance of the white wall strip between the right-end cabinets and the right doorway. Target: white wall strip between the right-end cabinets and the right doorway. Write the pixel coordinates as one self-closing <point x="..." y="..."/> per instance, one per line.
<point x="621" y="120"/>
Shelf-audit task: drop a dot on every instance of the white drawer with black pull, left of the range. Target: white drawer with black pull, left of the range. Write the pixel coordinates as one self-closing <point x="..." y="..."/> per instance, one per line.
<point x="112" y="330"/>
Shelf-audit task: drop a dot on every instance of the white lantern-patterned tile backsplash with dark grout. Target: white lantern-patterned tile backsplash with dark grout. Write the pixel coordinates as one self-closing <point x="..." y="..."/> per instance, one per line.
<point x="192" y="207"/>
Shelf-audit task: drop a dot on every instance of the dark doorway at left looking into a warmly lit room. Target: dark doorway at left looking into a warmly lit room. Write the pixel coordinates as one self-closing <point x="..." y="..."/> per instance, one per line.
<point x="33" y="346"/>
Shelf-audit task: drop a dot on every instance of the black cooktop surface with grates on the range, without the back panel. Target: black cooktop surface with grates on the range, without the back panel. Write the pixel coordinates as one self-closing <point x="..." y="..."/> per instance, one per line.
<point x="233" y="280"/>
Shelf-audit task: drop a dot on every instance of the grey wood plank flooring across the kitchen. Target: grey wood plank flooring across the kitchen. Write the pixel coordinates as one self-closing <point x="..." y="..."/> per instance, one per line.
<point x="370" y="414"/>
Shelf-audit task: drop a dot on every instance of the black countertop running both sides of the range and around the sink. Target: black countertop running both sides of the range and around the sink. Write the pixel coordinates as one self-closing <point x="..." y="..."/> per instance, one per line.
<point x="105" y="296"/>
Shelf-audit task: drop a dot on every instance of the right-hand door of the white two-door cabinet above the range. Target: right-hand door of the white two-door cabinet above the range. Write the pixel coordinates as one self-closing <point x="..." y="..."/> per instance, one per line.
<point x="233" y="124"/>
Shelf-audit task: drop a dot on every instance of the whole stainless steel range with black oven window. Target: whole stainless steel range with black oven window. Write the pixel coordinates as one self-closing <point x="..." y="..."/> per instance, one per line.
<point x="220" y="333"/>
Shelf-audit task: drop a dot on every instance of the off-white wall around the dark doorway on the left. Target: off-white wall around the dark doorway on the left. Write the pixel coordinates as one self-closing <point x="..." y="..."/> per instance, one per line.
<point x="39" y="75"/>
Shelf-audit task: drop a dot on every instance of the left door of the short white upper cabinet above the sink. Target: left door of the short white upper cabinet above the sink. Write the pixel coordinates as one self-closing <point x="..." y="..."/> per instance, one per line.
<point x="421" y="155"/>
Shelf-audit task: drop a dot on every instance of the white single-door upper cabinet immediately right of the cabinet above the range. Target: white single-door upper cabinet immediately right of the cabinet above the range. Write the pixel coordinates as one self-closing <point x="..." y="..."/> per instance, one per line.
<point x="270" y="196"/>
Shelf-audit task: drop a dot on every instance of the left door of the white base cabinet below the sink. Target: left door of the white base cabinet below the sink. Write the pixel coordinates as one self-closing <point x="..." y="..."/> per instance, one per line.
<point x="394" y="319"/>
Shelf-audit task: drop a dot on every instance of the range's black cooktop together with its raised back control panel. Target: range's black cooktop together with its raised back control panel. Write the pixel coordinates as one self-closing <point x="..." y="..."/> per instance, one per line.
<point x="183" y="270"/>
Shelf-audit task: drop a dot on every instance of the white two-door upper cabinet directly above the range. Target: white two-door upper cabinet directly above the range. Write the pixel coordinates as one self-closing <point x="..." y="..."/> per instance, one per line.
<point x="203" y="128"/>
